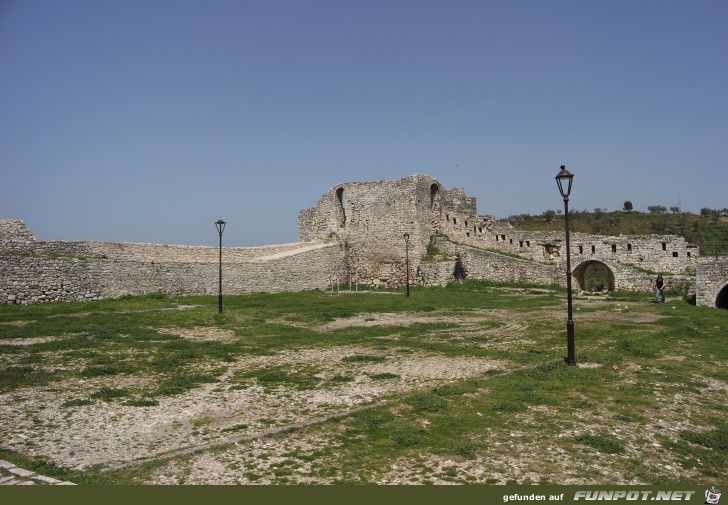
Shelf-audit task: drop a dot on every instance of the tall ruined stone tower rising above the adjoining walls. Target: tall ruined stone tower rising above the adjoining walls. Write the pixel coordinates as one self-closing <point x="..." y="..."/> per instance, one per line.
<point x="369" y="220"/>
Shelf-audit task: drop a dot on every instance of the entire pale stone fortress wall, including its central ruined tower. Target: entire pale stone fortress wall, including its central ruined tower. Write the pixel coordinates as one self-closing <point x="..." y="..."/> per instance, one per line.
<point x="355" y="233"/>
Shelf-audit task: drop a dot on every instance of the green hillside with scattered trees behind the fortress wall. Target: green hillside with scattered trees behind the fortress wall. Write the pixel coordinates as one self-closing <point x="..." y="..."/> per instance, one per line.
<point x="709" y="229"/>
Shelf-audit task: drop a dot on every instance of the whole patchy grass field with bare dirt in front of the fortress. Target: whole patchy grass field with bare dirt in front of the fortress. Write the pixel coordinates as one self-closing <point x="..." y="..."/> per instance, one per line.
<point x="464" y="384"/>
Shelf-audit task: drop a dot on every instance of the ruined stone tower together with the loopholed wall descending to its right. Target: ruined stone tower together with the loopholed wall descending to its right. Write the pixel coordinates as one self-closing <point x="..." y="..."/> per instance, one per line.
<point x="370" y="219"/>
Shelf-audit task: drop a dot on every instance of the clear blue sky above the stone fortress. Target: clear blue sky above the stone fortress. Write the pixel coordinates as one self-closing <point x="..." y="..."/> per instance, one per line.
<point x="149" y="120"/>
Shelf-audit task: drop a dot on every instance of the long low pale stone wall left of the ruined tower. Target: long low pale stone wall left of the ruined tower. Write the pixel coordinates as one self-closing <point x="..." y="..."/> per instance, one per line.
<point x="59" y="271"/>
